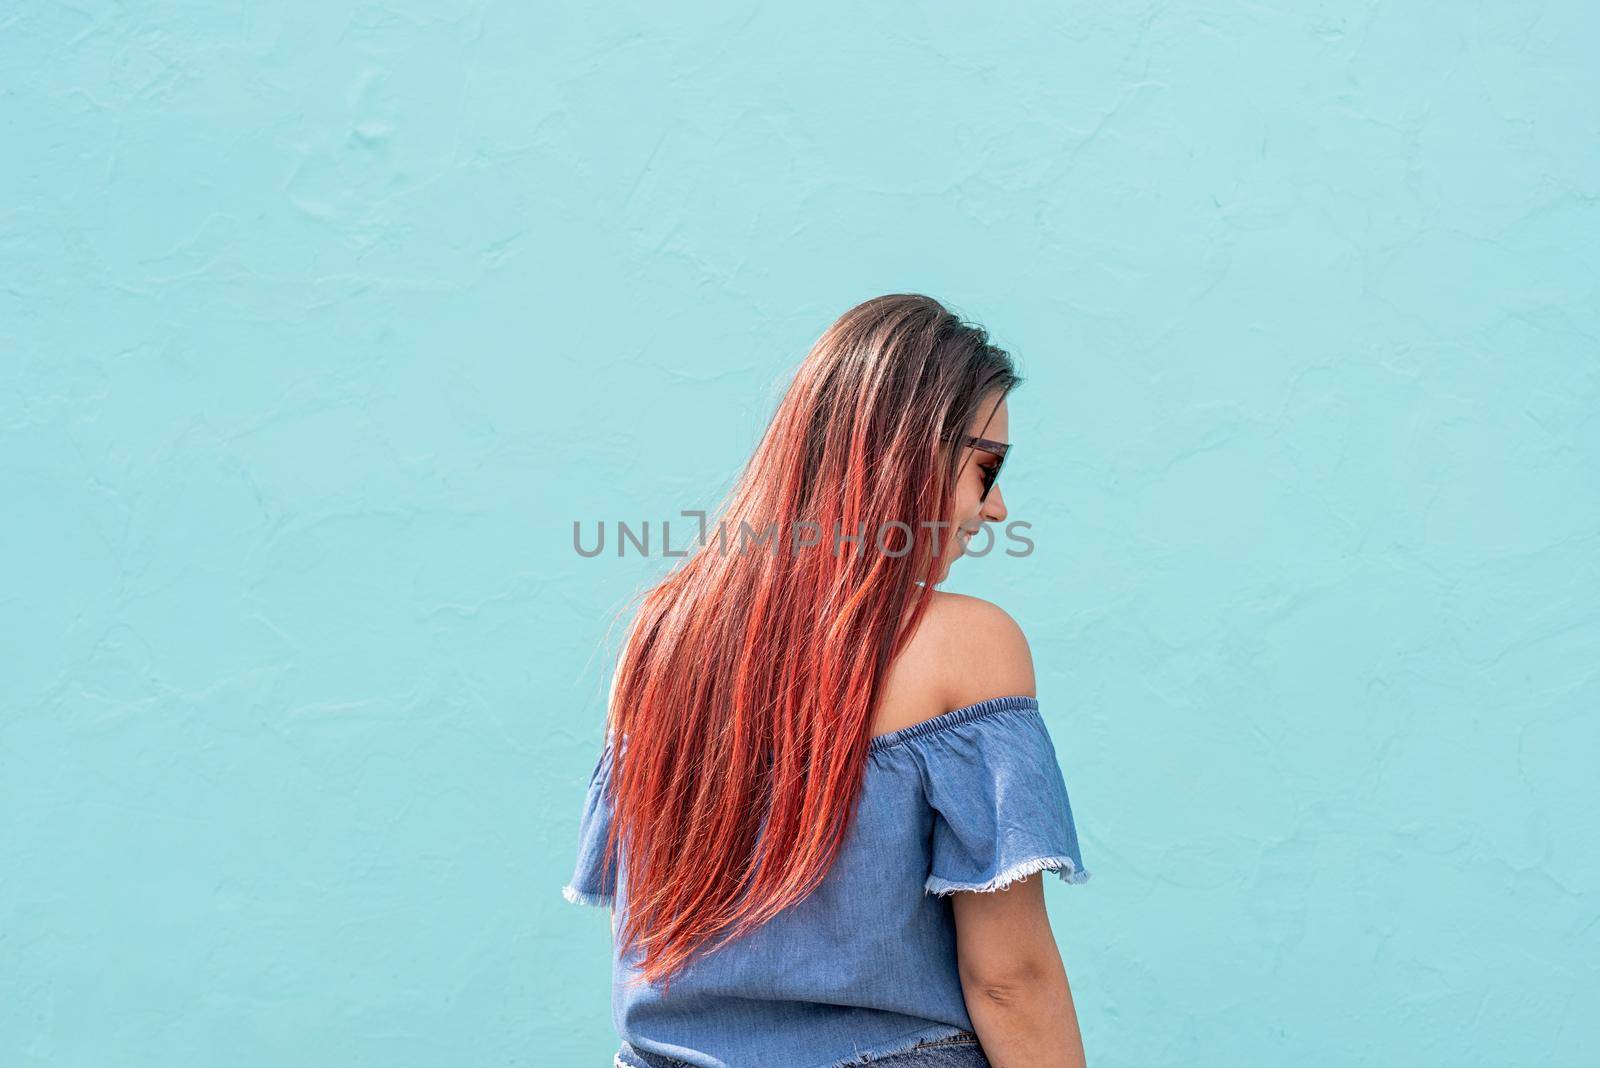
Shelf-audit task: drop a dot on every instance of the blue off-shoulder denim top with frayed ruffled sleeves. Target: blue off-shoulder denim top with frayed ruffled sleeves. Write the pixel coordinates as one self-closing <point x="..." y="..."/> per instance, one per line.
<point x="969" y="800"/>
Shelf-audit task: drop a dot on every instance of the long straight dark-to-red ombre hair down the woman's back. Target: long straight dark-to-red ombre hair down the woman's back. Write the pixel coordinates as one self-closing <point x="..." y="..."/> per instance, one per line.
<point x="745" y="695"/>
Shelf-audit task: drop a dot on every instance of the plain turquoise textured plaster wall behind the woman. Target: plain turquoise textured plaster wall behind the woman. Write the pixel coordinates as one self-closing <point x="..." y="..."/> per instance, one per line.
<point x="321" y="325"/>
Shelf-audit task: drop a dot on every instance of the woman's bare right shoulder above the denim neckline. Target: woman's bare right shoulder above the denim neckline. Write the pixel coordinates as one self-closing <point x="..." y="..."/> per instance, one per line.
<point x="966" y="650"/>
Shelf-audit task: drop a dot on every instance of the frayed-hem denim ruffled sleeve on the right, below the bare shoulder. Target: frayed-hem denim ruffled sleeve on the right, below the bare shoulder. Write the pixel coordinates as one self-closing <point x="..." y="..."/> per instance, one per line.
<point x="999" y="797"/>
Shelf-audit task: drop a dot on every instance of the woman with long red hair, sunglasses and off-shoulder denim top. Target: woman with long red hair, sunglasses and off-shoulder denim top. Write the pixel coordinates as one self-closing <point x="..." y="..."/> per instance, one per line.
<point x="828" y="797"/>
